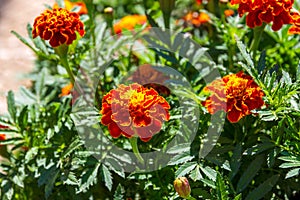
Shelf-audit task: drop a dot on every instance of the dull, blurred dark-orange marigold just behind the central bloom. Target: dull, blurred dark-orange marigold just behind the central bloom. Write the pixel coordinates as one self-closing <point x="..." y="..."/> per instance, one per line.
<point x="149" y="77"/>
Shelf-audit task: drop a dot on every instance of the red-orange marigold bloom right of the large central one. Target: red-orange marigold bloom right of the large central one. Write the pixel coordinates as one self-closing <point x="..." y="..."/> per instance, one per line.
<point x="237" y="94"/>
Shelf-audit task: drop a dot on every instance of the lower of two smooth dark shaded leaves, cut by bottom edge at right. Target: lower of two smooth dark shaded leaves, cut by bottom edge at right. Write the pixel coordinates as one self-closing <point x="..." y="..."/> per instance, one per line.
<point x="263" y="188"/>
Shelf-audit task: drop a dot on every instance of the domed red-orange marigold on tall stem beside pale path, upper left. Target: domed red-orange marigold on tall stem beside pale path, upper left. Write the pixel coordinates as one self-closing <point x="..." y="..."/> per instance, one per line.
<point x="58" y="25"/>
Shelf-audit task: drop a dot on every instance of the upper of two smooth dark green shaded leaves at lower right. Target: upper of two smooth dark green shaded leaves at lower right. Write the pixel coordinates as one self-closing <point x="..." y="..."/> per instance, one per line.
<point x="249" y="173"/>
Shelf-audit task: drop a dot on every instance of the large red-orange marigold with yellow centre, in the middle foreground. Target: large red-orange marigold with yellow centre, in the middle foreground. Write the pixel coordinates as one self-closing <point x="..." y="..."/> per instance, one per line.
<point x="134" y="111"/>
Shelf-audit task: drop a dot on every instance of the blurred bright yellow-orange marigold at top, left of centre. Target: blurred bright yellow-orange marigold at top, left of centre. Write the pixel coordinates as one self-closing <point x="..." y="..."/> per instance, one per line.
<point x="129" y="22"/>
